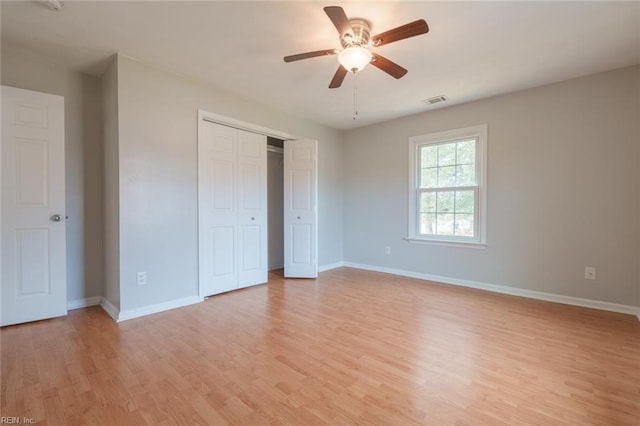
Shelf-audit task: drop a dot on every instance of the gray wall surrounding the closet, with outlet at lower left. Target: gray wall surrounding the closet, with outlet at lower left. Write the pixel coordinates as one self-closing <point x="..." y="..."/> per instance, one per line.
<point x="157" y="140"/>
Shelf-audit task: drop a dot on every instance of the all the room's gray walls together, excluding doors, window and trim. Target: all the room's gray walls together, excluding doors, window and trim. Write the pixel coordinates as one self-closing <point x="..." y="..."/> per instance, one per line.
<point x="564" y="182"/>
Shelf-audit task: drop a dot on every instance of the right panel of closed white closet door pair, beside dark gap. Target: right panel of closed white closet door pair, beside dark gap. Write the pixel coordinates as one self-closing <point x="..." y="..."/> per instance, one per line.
<point x="252" y="208"/>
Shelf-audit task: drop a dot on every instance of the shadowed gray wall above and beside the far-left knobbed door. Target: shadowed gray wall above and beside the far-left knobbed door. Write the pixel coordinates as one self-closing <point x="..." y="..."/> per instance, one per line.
<point x="83" y="161"/>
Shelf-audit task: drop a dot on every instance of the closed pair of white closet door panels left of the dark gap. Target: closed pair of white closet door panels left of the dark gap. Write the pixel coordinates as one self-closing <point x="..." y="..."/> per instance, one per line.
<point x="232" y="185"/>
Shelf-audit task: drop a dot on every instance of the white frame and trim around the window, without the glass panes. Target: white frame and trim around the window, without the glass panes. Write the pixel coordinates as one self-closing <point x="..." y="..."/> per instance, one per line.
<point x="478" y="132"/>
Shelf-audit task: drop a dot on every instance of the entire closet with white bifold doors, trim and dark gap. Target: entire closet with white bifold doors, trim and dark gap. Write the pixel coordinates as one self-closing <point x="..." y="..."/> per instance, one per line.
<point x="257" y="205"/>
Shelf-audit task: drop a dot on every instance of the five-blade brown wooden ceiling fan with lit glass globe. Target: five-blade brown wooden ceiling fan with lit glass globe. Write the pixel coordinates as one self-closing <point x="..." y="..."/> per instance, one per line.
<point x="356" y="41"/>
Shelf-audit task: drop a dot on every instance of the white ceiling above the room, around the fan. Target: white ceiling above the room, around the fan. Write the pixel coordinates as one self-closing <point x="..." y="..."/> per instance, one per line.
<point x="473" y="50"/>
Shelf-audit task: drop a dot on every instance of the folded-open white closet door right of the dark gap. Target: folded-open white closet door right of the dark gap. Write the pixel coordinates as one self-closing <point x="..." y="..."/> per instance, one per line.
<point x="300" y="212"/>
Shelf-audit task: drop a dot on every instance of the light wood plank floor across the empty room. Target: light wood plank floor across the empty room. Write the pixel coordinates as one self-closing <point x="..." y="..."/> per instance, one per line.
<point x="351" y="347"/>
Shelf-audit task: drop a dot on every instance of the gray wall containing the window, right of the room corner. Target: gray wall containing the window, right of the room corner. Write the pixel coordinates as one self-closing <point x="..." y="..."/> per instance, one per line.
<point x="563" y="175"/>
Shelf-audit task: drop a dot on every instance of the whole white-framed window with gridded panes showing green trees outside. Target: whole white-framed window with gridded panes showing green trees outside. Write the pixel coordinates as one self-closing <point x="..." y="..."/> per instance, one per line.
<point x="447" y="199"/>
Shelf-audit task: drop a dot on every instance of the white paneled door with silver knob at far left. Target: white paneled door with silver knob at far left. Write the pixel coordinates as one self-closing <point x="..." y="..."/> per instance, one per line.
<point x="34" y="282"/>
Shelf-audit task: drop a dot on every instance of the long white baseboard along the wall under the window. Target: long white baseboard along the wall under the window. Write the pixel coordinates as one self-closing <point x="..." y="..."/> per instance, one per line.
<point x="549" y="297"/>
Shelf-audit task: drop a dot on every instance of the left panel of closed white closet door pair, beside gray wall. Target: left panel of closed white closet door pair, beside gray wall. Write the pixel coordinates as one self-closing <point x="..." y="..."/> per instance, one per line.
<point x="217" y="208"/>
